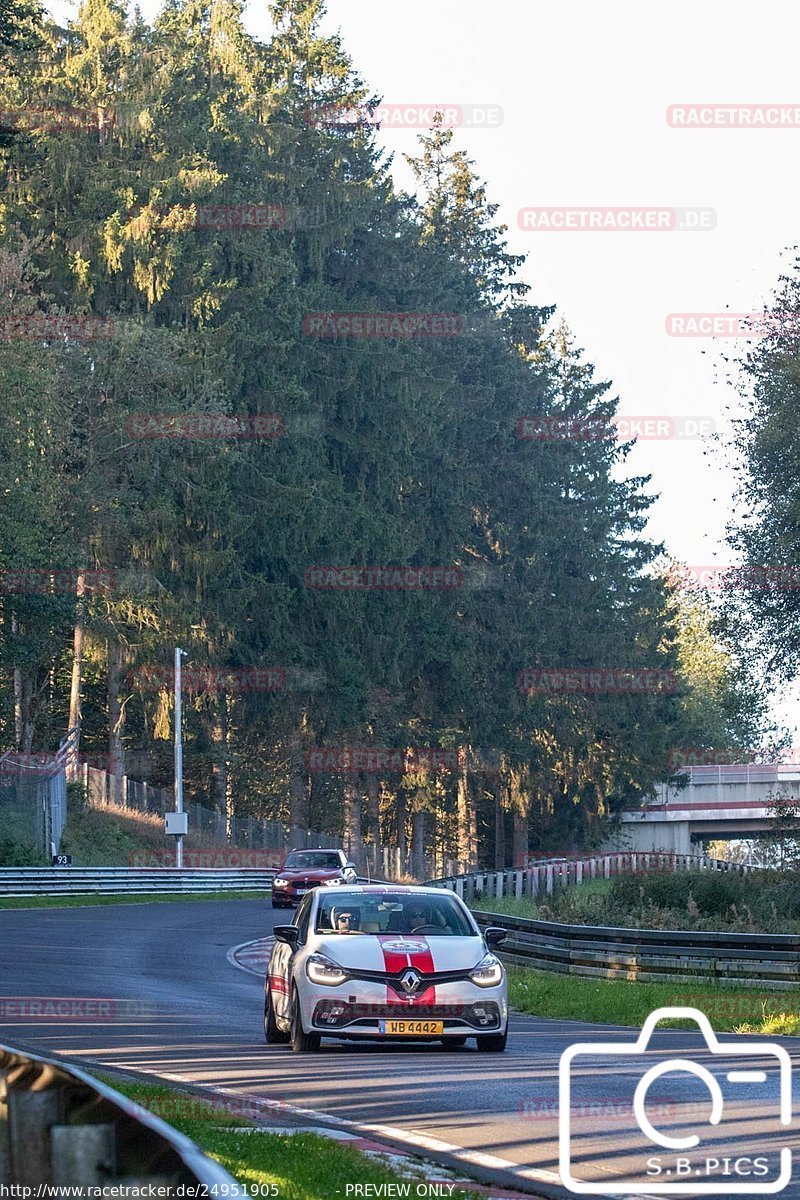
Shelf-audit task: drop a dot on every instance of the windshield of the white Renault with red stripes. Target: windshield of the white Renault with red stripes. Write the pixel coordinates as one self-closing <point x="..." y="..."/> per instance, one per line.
<point x="440" y="916"/>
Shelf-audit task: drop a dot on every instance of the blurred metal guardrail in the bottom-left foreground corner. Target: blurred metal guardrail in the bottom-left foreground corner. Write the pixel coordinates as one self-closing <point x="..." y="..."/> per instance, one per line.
<point x="64" y="1130"/>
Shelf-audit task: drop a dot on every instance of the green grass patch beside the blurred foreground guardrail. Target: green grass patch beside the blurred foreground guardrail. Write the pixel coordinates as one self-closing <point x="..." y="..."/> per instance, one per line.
<point x="299" y="1166"/>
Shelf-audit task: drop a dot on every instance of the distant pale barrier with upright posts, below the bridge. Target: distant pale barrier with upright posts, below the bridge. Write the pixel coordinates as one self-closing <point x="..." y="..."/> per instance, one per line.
<point x="542" y="879"/>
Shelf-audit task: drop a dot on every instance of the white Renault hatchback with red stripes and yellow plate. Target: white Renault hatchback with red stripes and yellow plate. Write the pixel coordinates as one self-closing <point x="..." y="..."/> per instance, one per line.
<point x="386" y="963"/>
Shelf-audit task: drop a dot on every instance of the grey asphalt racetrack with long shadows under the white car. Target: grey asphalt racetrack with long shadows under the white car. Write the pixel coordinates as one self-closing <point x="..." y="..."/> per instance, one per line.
<point x="170" y="1004"/>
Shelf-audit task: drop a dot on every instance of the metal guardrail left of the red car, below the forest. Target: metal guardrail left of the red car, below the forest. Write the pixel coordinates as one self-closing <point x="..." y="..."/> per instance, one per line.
<point x="26" y="881"/>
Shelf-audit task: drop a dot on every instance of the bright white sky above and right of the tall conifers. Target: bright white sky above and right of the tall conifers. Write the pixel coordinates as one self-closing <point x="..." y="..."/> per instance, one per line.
<point x="585" y="88"/>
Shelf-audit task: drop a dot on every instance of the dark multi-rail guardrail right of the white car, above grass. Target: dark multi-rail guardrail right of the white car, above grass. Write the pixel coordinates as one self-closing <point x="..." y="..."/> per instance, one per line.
<point x="767" y="961"/>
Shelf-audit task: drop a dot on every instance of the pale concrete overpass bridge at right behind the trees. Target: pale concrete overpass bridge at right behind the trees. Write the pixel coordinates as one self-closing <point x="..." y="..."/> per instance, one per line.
<point x="719" y="803"/>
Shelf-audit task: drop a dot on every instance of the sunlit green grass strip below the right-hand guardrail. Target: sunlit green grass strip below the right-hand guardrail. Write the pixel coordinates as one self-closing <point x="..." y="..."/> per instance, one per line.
<point x="628" y="1003"/>
